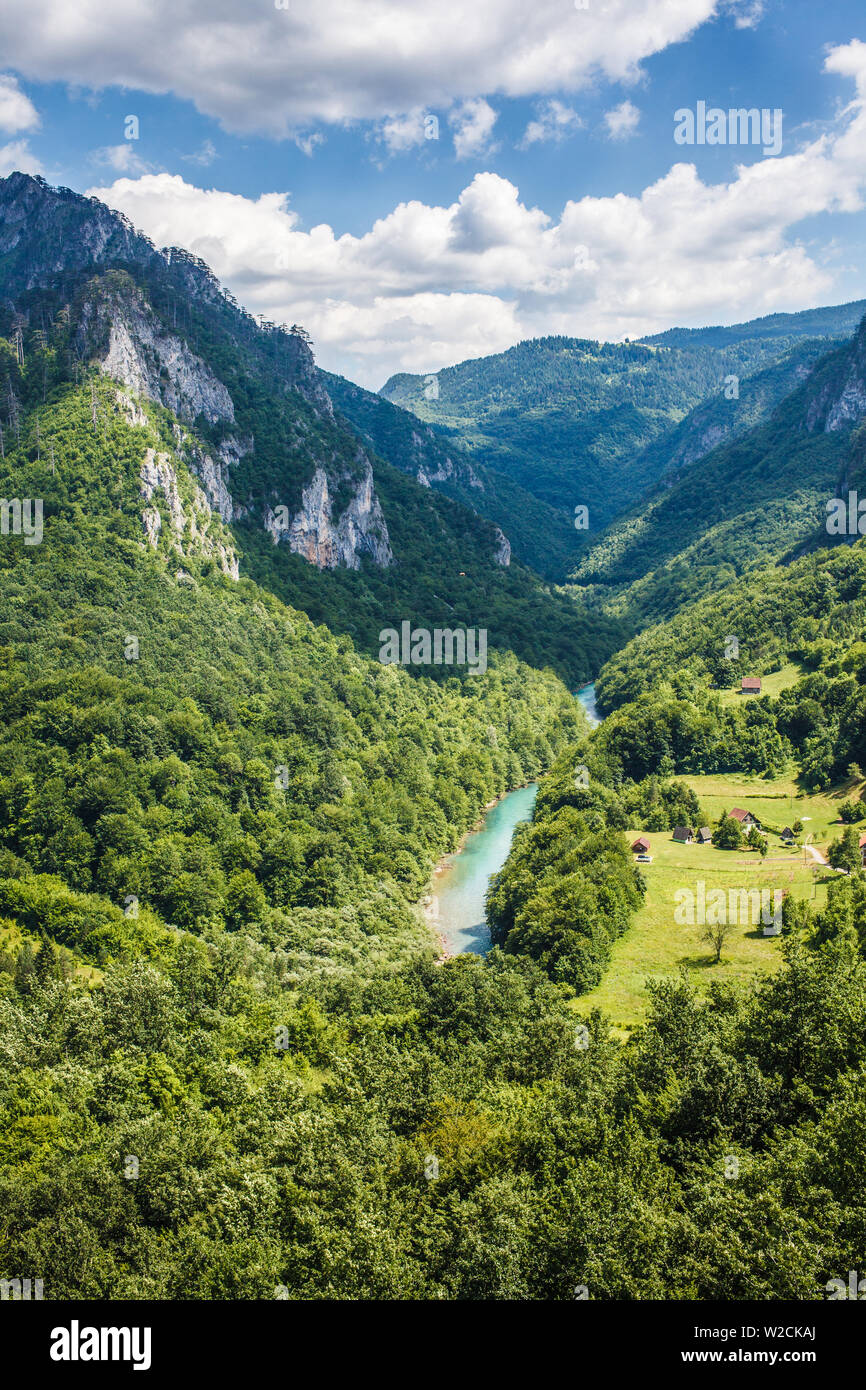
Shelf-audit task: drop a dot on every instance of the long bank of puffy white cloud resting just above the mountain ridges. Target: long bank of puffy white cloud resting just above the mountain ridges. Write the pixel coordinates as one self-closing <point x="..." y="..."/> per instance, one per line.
<point x="427" y="286"/>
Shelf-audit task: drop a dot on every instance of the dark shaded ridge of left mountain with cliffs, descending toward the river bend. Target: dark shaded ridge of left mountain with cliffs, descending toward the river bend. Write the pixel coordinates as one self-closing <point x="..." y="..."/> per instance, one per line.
<point x="312" y="511"/>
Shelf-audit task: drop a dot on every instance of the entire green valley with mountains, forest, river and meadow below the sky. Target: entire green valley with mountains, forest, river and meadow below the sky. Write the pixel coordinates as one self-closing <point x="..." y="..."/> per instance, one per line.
<point x="222" y="808"/>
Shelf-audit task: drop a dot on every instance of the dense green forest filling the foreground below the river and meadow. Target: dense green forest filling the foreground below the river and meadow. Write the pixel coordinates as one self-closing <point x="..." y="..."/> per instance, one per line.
<point x="193" y="1129"/>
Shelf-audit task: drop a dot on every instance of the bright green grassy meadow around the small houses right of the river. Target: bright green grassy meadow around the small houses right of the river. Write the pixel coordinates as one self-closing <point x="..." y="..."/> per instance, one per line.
<point x="657" y="946"/>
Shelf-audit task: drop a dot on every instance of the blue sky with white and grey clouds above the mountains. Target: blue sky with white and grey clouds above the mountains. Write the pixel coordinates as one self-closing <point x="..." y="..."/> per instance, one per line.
<point x="423" y="183"/>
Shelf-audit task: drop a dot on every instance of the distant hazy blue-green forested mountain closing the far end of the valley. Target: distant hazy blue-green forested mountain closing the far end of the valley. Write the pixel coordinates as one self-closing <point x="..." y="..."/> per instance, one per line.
<point x="572" y="420"/>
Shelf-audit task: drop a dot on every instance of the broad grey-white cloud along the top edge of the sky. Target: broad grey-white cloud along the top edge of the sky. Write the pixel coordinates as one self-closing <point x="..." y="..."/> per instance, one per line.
<point x="259" y="69"/>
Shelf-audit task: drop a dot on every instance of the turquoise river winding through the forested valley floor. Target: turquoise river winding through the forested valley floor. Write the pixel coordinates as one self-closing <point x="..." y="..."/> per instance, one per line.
<point x="461" y="885"/>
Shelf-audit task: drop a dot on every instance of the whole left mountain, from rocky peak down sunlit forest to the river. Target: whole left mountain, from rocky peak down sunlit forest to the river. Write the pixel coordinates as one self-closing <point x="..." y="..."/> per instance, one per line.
<point x="183" y="751"/>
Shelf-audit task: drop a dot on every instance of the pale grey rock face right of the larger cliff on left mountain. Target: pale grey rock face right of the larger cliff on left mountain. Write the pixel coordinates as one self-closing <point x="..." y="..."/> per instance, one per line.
<point x="312" y="533"/>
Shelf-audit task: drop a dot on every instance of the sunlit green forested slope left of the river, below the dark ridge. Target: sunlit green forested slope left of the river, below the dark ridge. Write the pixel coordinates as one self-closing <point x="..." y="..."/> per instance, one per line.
<point x="179" y="739"/>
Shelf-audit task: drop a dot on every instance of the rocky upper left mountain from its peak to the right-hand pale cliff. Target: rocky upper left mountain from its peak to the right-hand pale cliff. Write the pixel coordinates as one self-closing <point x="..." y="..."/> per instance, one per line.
<point x="159" y="325"/>
